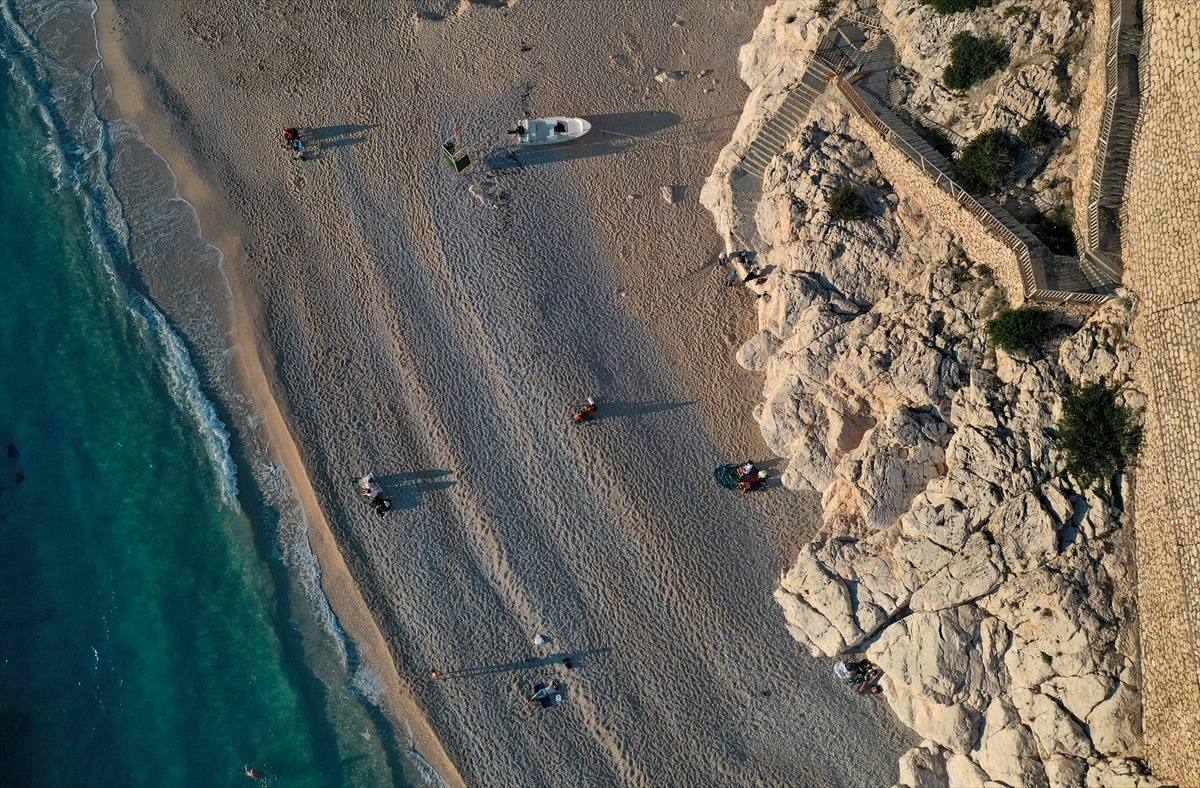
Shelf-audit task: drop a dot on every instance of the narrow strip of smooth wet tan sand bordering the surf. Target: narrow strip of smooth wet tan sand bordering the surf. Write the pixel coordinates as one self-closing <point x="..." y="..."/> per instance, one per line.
<point x="224" y="230"/>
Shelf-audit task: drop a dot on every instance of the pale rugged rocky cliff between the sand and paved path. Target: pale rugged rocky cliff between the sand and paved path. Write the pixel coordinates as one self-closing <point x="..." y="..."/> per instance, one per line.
<point x="997" y="593"/>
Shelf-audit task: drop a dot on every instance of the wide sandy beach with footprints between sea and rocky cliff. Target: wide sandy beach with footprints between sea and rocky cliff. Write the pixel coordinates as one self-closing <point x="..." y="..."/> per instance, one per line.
<point x="407" y="329"/>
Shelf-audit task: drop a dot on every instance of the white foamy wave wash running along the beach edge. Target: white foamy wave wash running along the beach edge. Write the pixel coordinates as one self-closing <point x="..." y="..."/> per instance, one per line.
<point x="61" y="64"/>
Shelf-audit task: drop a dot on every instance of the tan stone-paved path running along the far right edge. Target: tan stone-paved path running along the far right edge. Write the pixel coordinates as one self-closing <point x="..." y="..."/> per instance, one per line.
<point x="1163" y="268"/>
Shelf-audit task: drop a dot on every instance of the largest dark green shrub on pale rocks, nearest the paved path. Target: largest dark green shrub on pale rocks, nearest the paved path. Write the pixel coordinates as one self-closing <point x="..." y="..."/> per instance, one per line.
<point x="1096" y="435"/>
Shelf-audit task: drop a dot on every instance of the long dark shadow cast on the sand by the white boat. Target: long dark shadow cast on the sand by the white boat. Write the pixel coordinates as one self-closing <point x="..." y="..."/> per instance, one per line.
<point x="610" y="135"/>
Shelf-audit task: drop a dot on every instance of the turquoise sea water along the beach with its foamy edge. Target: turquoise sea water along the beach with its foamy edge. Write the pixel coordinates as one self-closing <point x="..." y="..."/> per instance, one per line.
<point x="152" y="631"/>
